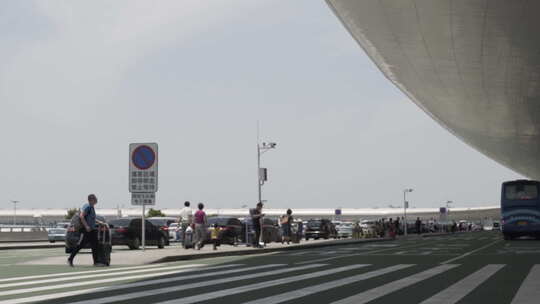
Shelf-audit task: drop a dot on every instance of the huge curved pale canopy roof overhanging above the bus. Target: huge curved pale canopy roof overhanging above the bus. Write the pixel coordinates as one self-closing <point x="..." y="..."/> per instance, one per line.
<point x="474" y="66"/>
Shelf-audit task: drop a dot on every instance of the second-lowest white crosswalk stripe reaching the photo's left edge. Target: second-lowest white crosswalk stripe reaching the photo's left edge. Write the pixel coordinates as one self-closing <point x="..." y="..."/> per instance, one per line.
<point x="100" y="281"/>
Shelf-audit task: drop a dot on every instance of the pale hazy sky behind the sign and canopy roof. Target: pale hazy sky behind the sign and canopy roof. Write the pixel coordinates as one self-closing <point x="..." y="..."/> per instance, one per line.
<point x="81" y="80"/>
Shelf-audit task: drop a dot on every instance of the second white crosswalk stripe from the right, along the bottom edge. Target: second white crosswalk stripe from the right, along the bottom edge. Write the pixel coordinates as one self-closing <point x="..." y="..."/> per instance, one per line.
<point x="460" y="289"/>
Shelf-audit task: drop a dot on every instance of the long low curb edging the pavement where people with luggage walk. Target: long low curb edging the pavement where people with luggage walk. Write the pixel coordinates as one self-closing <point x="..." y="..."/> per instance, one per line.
<point x="252" y="251"/>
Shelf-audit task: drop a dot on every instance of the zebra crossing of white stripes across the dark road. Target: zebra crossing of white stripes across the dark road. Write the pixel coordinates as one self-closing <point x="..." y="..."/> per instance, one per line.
<point x="265" y="284"/>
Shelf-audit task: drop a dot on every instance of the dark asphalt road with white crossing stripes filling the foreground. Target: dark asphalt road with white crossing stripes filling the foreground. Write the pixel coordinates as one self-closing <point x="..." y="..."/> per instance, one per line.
<point x="464" y="268"/>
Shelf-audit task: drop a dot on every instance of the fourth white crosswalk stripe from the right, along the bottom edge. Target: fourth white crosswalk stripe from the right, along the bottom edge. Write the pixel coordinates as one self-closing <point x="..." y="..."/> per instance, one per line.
<point x="327" y="286"/>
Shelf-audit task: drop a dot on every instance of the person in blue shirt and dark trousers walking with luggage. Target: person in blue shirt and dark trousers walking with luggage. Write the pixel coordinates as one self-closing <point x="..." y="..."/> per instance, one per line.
<point x="89" y="231"/>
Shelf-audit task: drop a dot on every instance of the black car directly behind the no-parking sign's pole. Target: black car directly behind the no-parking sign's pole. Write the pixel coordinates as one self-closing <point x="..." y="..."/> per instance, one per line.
<point x="128" y="231"/>
